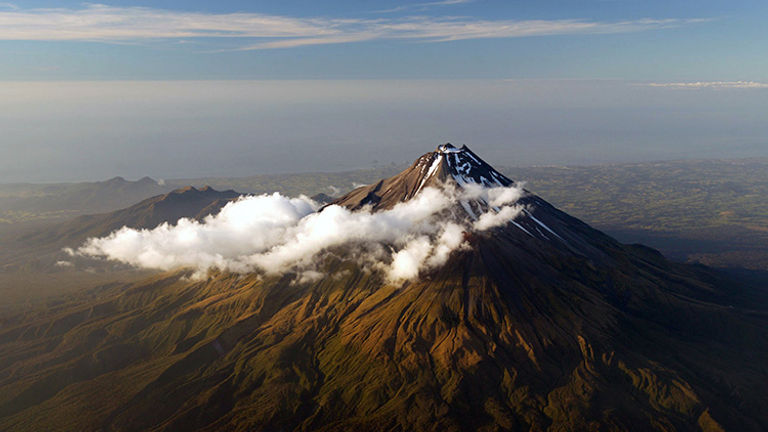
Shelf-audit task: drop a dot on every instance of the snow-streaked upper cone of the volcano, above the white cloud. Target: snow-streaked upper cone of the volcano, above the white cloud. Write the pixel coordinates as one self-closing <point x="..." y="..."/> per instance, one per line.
<point x="461" y="169"/>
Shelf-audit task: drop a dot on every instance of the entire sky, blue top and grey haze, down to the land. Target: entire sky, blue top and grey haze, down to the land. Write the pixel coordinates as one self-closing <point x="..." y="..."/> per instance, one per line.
<point x="172" y="88"/>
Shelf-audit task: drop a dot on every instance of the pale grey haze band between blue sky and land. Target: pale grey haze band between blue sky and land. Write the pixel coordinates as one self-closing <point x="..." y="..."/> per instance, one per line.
<point x="74" y="131"/>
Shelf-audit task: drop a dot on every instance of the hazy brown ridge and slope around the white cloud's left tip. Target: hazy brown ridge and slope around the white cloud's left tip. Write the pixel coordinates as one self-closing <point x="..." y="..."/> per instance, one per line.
<point x="33" y="266"/>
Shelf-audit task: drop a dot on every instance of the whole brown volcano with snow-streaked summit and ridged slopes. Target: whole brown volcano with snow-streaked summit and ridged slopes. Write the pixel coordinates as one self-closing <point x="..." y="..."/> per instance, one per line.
<point x="539" y="323"/>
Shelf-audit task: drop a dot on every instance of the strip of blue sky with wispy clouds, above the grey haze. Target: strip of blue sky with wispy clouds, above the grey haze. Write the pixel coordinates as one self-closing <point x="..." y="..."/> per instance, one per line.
<point x="605" y="39"/>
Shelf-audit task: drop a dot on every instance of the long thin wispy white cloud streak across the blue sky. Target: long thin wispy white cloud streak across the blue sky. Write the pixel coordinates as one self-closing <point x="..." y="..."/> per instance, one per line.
<point x="125" y="24"/>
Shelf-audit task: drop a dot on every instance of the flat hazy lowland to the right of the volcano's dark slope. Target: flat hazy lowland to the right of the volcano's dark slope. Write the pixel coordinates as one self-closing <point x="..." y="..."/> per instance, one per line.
<point x="711" y="211"/>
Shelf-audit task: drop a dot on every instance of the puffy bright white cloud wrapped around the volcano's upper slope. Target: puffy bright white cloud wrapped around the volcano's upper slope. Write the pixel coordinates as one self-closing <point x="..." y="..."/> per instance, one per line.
<point x="274" y="233"/>
